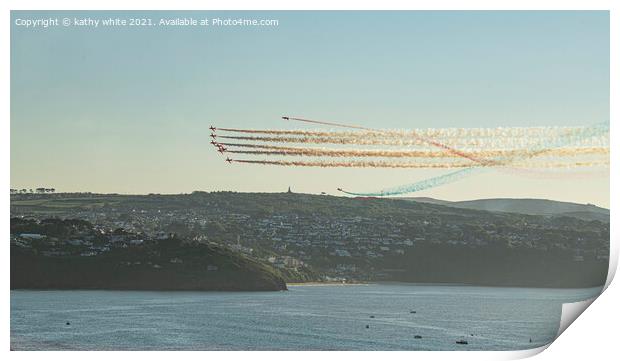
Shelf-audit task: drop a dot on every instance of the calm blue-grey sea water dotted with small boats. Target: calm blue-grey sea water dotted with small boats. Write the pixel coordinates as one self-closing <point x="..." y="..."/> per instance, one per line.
<point x="303" y="318"/>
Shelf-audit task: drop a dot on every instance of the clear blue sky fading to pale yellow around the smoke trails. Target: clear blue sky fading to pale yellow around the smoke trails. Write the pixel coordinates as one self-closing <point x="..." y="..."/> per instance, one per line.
<point x="127" y="109"/>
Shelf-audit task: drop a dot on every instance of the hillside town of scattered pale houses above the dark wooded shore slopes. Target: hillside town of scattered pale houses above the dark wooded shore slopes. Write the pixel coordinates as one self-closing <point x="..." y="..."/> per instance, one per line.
<point x="348" y="246"/>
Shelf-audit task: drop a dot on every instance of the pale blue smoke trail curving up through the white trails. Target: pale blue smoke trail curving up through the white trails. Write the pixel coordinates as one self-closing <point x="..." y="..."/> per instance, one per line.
<point x="595" y="130"/>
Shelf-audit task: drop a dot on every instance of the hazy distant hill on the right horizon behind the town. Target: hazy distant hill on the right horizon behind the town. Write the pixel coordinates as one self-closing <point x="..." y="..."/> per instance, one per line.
<point x="540" y="207"/>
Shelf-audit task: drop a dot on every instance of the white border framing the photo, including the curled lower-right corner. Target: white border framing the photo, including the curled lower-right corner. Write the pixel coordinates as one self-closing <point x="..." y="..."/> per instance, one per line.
<point x="588" y="338"/>
